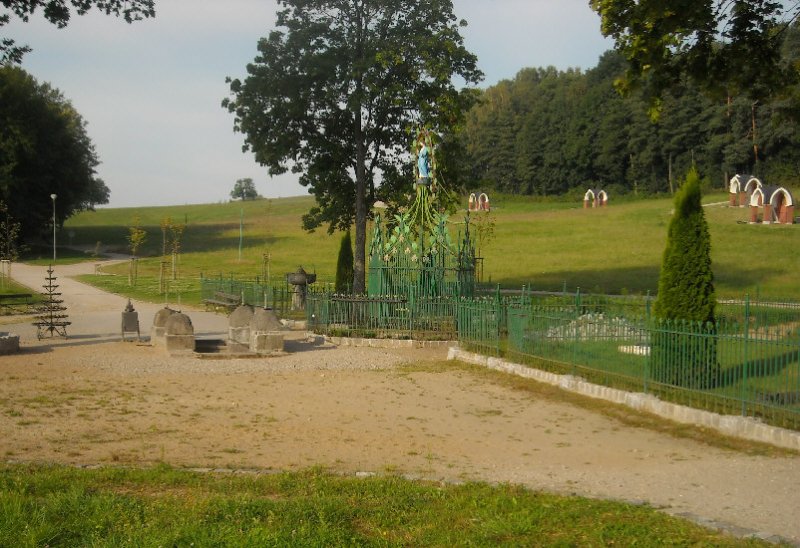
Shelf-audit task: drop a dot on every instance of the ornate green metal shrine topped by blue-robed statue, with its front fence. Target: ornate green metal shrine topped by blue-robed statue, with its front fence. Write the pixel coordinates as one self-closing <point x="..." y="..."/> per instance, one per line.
<point x="417" y="273"/>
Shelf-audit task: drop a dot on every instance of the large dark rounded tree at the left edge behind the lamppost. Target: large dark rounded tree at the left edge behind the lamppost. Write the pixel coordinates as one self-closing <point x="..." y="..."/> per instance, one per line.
<point x="44" y="150"/>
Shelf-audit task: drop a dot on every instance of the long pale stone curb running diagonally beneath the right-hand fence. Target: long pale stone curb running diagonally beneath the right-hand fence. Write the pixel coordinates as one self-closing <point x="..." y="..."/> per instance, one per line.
<point x="731" y="425"/>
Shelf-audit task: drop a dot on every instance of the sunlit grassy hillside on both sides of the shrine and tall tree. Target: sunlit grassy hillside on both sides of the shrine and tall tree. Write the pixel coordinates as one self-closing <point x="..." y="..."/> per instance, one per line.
<point x="546" y="245"/>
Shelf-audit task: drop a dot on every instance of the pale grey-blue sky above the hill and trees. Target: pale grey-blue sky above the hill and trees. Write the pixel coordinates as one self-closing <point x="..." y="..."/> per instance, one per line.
<point x="151" y="91"/>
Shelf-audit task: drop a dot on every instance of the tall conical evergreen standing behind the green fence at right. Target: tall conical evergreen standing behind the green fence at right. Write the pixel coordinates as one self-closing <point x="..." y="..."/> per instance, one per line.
<point x="684" y="344"/>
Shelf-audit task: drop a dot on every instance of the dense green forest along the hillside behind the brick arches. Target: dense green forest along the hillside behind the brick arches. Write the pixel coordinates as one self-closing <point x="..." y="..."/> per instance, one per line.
<point x="549" y="132"/>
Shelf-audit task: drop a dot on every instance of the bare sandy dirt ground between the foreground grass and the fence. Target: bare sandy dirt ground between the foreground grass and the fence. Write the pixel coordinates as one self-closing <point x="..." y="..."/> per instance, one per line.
<point x="93" y="399"/>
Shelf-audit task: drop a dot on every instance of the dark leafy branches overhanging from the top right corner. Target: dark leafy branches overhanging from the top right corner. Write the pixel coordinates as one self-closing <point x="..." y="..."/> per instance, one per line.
<point x="726" y="46"/>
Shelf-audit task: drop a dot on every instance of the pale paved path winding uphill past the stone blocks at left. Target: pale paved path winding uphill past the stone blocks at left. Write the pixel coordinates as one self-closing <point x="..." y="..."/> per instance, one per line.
<point x="95" y="314"/>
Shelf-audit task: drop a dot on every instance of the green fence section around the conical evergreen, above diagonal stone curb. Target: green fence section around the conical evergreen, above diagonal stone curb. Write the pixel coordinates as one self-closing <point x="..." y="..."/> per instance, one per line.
<point x="747" y="363"/>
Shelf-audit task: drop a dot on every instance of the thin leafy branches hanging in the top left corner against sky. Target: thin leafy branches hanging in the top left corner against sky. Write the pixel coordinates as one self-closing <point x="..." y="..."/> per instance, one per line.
<point x="59" y="13"/>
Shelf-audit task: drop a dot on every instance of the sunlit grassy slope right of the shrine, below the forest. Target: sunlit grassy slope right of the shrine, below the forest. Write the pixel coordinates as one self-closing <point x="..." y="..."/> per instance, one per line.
<point x="619" y="249"/>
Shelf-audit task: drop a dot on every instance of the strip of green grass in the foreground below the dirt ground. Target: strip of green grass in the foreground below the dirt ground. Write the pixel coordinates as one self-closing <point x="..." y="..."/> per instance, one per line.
<point x="60" y="506"/>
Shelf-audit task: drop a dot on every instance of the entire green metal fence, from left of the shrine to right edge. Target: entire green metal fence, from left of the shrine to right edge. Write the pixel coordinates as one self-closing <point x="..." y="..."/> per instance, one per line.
<point x="747" y="362"/>
